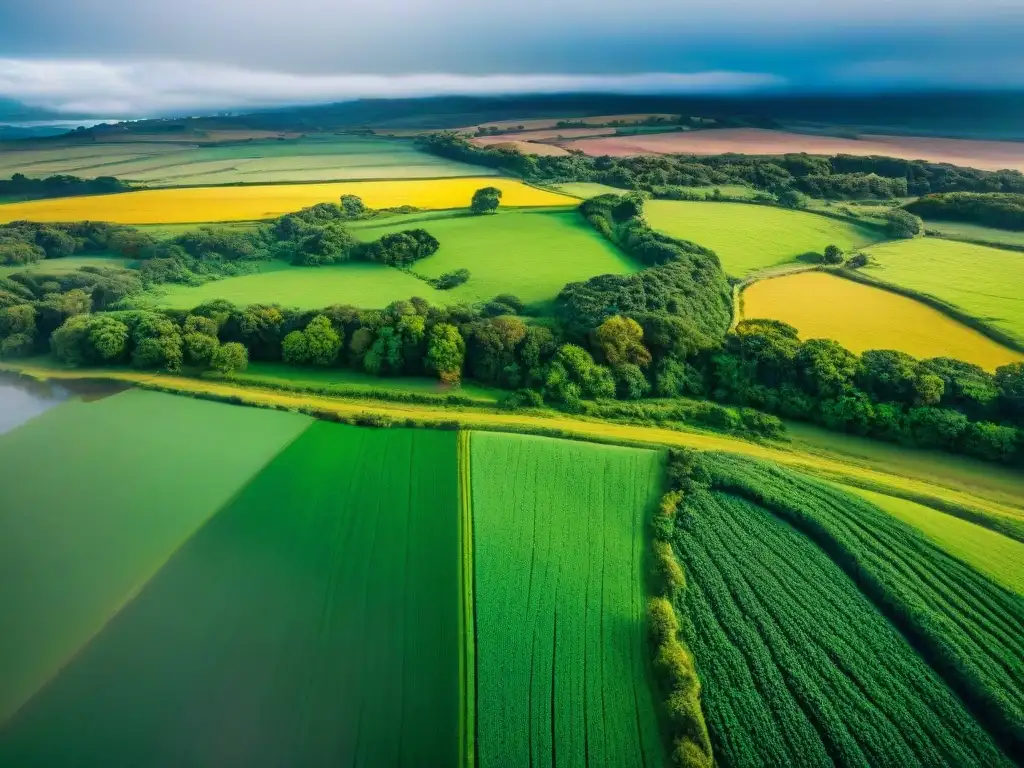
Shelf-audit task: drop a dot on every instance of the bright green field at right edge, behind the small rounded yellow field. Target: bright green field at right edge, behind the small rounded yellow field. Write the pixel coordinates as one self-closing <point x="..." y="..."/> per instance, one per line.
<point x="985" y="283"/>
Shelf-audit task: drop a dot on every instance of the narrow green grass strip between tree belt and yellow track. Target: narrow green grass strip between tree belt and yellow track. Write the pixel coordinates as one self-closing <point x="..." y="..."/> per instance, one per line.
<point x="354" y="382"/>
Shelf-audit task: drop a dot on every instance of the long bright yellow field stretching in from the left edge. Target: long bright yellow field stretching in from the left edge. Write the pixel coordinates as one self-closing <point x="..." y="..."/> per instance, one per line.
<point x="269" y="201"/>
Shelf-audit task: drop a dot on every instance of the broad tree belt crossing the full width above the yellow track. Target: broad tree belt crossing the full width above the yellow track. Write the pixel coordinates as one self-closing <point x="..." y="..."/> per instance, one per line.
<point x="660" y="333"/>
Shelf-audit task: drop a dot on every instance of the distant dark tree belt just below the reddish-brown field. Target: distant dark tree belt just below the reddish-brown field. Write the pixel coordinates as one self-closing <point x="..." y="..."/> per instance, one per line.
<point x="843" y="177"/>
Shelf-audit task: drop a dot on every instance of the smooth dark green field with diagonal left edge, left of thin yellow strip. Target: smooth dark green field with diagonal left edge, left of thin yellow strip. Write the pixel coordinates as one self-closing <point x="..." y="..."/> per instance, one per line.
<point x="314" y="621"/>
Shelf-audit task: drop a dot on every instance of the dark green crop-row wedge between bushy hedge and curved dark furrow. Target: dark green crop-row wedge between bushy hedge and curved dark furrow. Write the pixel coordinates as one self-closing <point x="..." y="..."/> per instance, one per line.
<point x="798" y="667"/>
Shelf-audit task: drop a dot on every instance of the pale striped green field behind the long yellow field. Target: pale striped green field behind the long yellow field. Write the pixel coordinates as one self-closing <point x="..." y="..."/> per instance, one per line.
<point x="310" y="159"/>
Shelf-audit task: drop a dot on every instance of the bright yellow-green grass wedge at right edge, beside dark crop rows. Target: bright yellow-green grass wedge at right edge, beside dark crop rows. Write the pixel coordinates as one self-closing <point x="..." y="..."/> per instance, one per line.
<point x="998" y="557"/>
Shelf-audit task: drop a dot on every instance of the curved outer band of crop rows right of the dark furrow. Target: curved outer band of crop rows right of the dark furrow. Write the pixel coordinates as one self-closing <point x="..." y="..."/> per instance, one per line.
<point x="968" y="629"/>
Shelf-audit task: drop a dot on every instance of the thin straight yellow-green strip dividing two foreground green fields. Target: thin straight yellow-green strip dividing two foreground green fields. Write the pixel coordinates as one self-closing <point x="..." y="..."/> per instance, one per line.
<point x="467" y="601"/>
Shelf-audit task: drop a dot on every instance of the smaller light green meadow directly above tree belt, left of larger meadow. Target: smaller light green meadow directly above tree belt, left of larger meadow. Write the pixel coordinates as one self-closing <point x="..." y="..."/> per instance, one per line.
<point x="363" y="285"/>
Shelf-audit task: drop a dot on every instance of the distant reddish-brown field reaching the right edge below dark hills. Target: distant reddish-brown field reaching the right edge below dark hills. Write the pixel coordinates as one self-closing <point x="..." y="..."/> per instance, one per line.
<point x="975" y="154"/>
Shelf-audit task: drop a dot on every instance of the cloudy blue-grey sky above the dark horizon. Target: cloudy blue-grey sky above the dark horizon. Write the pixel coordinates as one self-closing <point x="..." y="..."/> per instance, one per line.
<point x="137" y="58"/>
